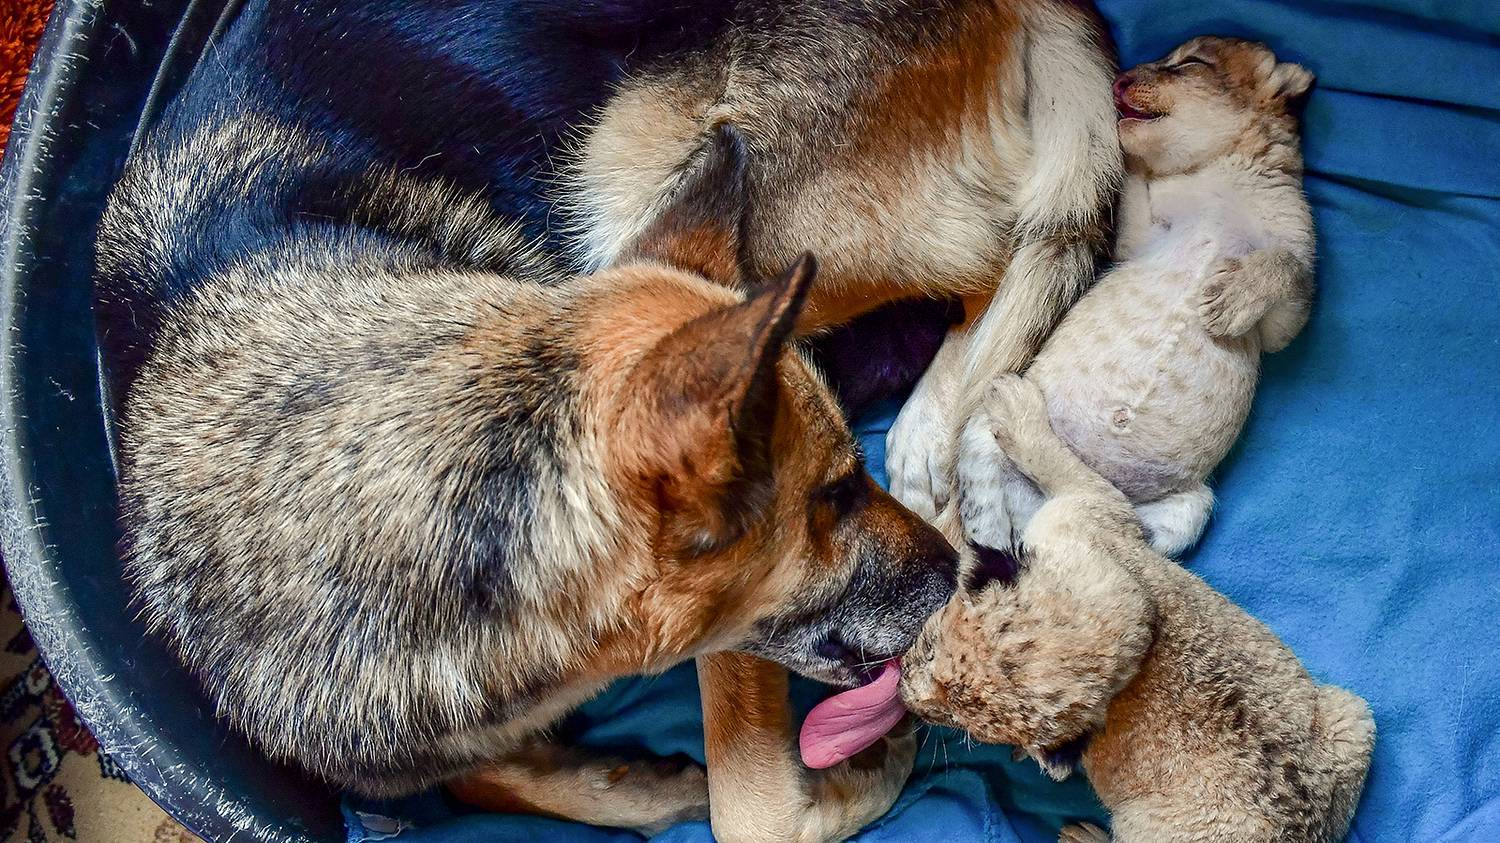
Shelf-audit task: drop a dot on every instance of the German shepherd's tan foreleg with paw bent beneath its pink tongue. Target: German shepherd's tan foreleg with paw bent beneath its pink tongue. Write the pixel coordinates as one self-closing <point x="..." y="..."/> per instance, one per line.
<point x="758" y="788"/>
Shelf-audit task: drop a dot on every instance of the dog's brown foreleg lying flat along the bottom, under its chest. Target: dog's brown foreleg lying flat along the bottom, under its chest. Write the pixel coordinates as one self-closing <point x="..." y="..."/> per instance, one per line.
<point x="563" y="782"/>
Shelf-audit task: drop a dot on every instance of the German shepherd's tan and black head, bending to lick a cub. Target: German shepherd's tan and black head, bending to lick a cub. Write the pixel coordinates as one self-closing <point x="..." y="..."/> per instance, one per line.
<point x="763" y="527"/>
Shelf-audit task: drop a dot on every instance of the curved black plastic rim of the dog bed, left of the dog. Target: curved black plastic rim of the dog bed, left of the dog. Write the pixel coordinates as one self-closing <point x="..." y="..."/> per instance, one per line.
<point x="100" y="77"/>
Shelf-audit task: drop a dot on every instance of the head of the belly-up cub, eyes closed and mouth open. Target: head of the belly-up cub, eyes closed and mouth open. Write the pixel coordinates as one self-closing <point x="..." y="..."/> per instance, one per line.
<point x="1210" y="97"/>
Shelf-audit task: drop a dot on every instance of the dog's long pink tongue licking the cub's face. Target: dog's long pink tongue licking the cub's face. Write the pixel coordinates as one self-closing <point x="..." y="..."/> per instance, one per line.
<point x="842" y="725"/>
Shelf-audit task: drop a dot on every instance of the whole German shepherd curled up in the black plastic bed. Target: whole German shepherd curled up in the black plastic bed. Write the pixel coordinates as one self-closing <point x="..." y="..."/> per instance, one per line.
<point x="412" y="467"/>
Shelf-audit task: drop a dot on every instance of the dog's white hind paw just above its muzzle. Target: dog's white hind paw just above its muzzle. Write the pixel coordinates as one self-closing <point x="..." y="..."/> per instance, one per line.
<point x="919" y="454"/>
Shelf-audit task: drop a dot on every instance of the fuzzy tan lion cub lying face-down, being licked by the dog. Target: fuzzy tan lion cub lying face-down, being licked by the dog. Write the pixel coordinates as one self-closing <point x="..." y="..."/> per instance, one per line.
<point x="1205" y="728"/>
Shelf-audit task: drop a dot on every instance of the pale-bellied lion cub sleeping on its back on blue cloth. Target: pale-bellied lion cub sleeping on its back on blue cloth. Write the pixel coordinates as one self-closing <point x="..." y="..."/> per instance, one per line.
<point x="1150" y="379"/>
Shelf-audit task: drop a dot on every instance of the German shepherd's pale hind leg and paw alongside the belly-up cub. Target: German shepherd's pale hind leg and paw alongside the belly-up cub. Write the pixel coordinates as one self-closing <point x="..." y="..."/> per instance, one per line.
<point x="1061" y="224"/>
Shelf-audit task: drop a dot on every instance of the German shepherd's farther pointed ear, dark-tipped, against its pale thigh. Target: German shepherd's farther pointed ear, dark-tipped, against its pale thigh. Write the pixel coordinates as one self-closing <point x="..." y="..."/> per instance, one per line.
<point x="703" y="226"/>
